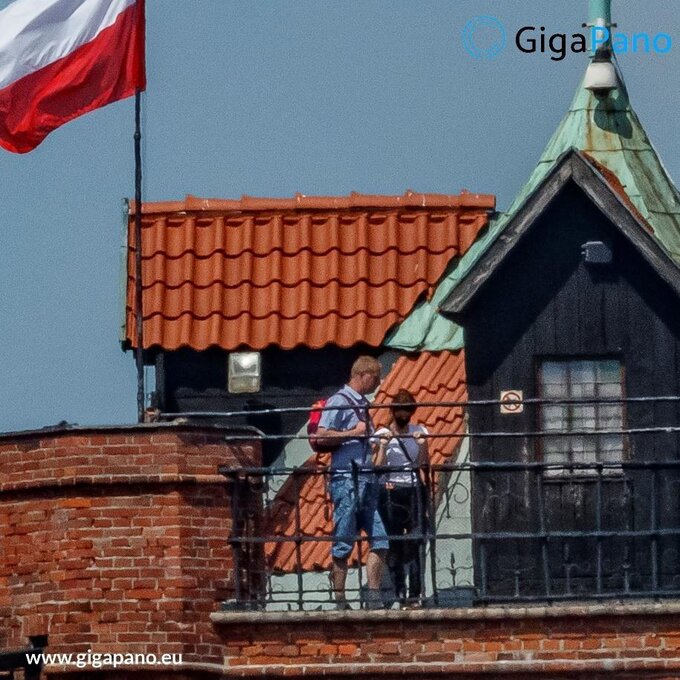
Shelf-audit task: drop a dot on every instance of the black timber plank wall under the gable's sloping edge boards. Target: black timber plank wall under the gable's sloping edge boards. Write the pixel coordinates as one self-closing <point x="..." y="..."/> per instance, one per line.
<point x="543" y="301"/>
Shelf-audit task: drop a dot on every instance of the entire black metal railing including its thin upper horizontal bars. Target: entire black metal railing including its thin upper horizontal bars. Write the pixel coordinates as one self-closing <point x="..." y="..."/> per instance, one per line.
<point x="515" y="513"/>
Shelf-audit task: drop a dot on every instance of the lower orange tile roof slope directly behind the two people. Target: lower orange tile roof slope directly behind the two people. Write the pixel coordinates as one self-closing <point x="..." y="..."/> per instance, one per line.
<point x="430" y="377"/>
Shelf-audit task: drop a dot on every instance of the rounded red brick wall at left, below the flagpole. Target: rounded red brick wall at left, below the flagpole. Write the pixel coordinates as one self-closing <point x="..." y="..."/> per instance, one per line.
<point x="116" y="540"/>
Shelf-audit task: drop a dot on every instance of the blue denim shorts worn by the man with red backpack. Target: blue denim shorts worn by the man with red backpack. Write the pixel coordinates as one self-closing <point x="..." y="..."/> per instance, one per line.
<point x="354" y="510"/>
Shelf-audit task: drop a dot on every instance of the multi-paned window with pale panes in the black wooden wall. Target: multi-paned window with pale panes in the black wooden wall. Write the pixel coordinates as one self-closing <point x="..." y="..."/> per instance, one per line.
<point x="588" y="380"/>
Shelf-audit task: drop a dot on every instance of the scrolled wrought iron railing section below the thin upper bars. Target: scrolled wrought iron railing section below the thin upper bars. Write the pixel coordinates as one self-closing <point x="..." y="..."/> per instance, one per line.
<point x="485" y="532"/>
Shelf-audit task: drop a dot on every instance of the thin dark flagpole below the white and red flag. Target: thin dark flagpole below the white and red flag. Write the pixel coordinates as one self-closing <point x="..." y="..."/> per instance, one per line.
<point x="139" y="317"/>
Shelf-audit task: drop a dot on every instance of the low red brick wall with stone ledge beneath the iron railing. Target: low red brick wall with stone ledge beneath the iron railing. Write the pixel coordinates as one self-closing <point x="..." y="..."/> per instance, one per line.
<point x="632" y="641"/>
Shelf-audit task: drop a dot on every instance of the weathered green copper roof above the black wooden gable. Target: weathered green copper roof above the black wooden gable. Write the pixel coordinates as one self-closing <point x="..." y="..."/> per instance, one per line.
<point x="609" y="131"/>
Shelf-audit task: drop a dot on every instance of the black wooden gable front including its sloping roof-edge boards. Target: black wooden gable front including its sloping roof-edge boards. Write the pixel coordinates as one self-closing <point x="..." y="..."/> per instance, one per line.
<point x="533" y="297"/>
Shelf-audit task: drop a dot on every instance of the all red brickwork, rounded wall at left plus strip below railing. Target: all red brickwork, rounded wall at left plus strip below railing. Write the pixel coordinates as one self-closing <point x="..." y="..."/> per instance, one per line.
<point x="115" y="540"/>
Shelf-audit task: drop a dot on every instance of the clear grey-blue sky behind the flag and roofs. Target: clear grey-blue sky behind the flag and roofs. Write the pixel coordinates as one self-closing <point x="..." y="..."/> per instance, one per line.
<point x="268" y="98"/>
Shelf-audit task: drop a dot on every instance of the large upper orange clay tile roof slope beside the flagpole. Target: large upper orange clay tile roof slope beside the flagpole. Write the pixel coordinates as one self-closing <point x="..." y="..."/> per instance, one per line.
<point x="296" y="271"/>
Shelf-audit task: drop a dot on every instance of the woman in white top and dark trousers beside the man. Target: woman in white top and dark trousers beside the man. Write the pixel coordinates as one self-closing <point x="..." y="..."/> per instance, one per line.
<point x="402" y="446"/>
